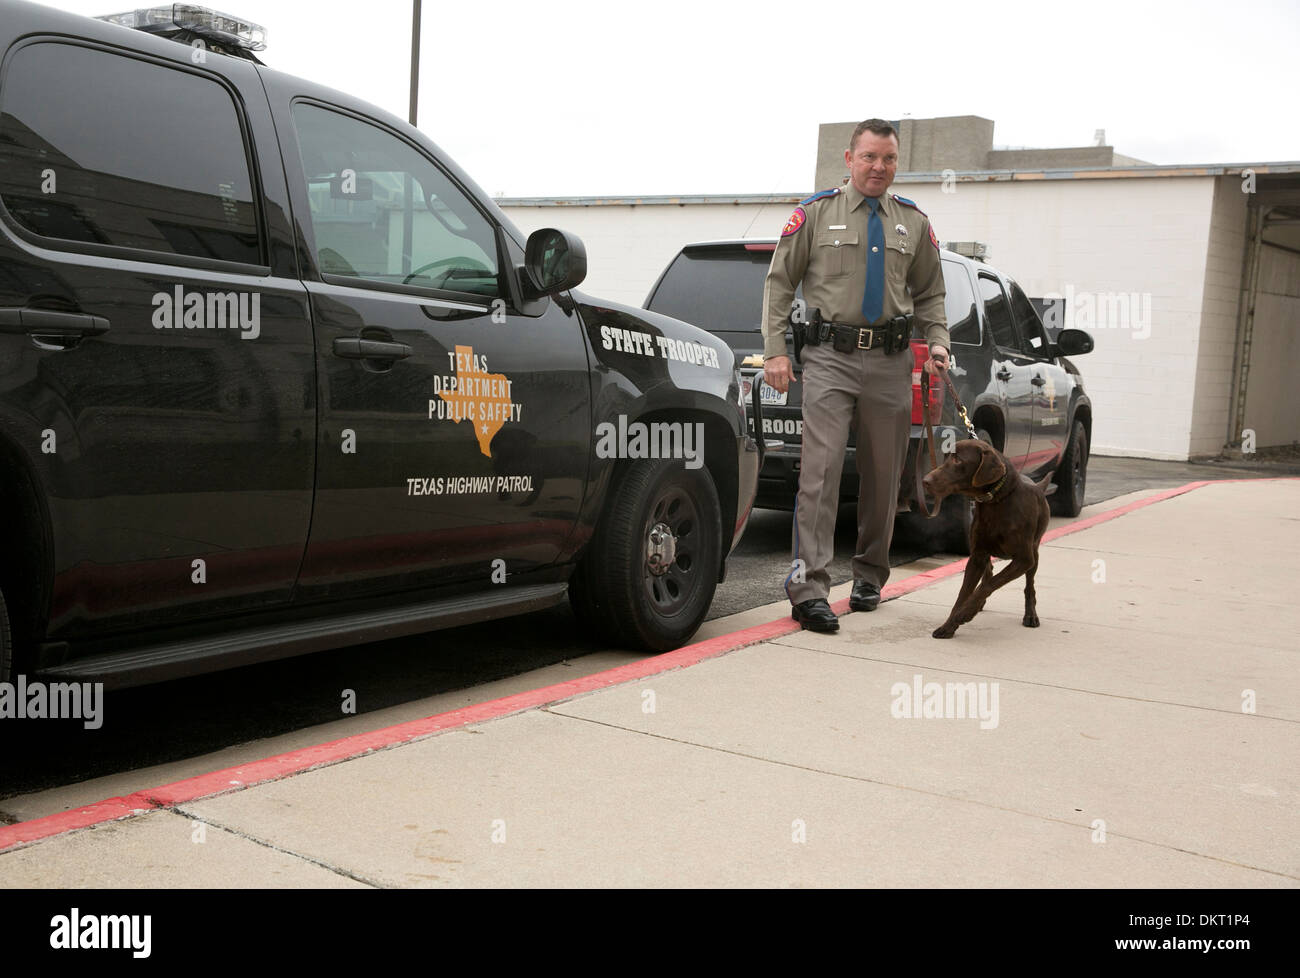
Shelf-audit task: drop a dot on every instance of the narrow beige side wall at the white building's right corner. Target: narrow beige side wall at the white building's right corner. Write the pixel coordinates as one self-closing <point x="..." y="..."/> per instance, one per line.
<point x="1215" y="353"/>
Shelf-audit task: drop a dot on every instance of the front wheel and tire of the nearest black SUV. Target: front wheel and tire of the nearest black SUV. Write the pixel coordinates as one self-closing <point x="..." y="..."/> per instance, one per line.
<point x="649" y="575"/>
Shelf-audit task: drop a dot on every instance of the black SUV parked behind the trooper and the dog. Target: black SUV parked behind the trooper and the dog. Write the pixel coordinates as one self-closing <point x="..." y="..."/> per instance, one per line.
<point x="1019" y="390"/>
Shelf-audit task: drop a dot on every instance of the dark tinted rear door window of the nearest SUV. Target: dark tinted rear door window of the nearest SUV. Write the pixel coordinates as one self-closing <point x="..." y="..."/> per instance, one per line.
<point x="109" y="150"/>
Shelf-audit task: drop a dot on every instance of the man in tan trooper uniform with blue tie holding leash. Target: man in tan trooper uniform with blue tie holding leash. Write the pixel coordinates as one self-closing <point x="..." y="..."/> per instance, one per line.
<point x="869" y="265"/>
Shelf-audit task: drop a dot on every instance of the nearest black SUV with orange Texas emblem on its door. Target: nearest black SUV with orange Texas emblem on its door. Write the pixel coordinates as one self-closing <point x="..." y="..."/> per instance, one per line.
<point x="278" y="377"/>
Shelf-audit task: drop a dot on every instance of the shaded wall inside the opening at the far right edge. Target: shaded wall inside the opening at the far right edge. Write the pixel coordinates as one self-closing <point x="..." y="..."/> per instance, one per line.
<point x="1273" y="397"/>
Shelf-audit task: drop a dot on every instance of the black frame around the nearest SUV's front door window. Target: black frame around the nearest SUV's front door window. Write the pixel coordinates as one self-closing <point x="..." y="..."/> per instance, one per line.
<point x="309" y="227"/>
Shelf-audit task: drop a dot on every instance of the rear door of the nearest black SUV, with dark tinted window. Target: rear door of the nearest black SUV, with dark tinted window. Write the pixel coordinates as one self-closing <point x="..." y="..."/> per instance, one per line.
<point x="153" y="330"/>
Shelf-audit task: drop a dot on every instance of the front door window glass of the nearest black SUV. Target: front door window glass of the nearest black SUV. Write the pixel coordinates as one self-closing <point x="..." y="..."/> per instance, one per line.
<point x="383" y="211"/>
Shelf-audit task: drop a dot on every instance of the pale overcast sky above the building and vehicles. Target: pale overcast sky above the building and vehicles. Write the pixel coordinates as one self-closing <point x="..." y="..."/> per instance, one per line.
<point x="610" y="98"/>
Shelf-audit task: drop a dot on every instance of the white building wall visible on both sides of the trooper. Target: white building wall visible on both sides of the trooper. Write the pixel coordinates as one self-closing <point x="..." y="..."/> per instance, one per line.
<point x="1130" y="256"/>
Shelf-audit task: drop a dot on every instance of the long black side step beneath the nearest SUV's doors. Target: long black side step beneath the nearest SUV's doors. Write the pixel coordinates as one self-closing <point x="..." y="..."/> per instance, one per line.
<point x="190" y="657"/>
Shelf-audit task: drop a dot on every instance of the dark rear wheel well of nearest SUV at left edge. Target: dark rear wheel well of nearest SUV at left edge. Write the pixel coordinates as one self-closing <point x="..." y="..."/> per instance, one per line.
<point x="25" y="569"/>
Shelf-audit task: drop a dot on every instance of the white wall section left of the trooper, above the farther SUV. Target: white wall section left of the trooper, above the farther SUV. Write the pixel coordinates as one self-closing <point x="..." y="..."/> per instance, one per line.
<point x="630" y="246"/>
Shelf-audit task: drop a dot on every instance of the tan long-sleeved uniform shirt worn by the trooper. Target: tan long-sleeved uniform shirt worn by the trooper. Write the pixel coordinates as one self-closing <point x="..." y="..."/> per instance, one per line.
<point x="829" y="256"/>
